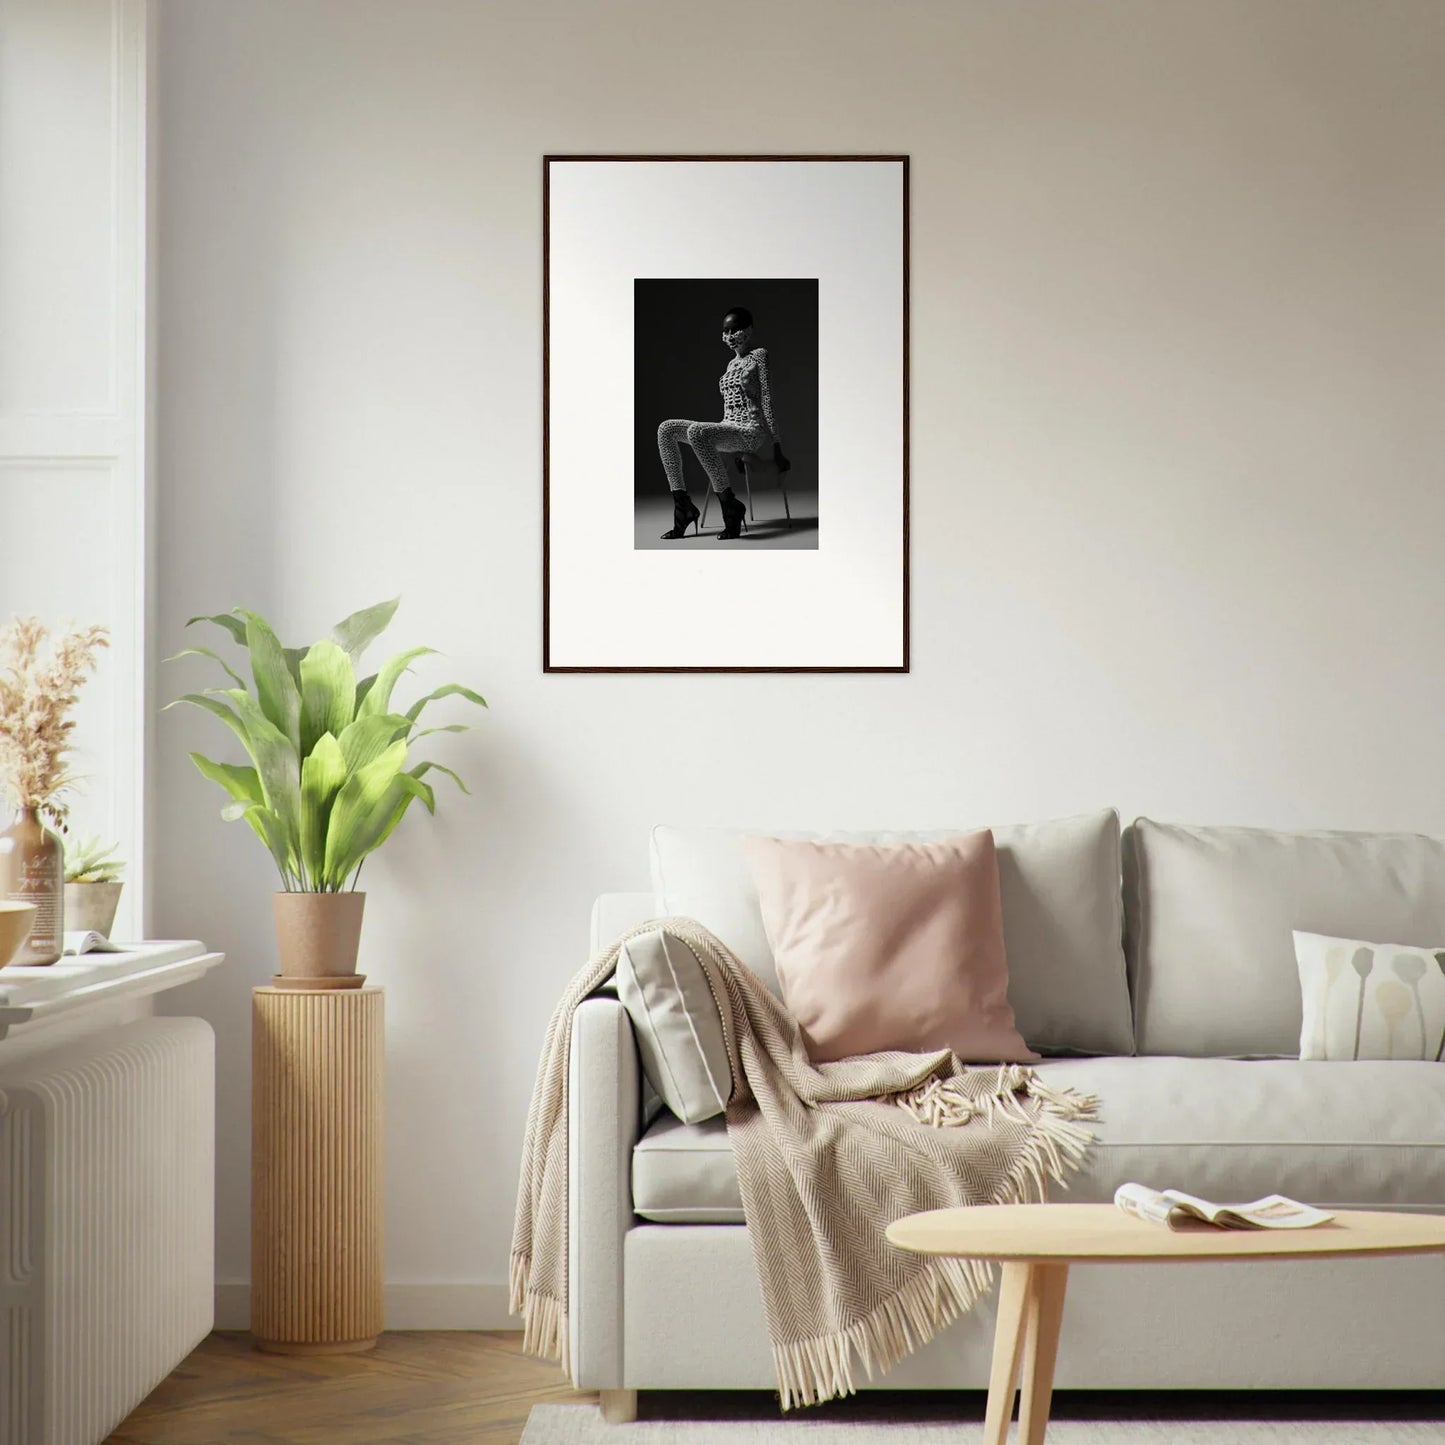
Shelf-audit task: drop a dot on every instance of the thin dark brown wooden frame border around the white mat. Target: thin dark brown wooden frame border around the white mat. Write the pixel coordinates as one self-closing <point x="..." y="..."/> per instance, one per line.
<point x="547" y="394"/>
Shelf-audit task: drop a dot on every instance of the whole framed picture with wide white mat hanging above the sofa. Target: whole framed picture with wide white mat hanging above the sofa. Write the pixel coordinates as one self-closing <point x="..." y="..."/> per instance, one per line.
<point x="726" y="414"/>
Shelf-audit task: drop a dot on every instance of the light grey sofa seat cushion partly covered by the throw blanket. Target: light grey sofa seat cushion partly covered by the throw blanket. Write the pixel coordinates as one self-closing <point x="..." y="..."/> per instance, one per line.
<point x="1343" y="1135"/>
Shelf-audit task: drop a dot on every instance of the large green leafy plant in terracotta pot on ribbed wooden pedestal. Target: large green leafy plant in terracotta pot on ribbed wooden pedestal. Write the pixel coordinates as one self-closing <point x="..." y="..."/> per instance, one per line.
<point x="329" y="778"/>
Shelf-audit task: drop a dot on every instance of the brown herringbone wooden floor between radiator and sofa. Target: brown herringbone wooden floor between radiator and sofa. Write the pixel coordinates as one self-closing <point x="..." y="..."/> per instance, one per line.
<point x="434" y="1388"/>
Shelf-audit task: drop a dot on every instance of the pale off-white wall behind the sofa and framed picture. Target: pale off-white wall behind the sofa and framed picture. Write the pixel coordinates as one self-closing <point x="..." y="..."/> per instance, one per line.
<point x="1178" y="439"/>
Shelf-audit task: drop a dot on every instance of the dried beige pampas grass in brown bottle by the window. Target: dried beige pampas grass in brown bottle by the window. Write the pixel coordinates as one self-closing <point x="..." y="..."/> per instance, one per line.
<point x="41" y="681"/>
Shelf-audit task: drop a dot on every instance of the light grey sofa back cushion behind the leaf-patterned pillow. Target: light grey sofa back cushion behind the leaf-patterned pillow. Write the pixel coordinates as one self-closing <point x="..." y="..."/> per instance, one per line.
<point x="1210" y="915"/>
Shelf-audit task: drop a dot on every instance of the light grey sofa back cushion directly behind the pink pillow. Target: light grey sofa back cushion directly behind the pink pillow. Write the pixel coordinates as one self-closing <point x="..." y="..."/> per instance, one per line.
<point x="1063" y="918"/>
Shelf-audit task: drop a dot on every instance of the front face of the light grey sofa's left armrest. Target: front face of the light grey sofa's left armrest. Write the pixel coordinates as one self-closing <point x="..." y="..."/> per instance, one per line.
<point x="605" y="1112"/>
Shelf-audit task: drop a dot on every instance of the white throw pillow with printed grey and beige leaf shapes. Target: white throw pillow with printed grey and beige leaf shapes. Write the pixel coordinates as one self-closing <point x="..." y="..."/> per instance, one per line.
<point x="1371" y="1001"/>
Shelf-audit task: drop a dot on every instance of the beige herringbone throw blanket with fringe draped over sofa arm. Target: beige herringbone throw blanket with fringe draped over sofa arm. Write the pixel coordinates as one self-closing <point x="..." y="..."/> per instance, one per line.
<point x="827" y="1158"/>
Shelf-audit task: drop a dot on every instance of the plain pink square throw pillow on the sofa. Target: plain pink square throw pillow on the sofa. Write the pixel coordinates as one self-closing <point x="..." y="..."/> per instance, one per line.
<point x="889" y="947"/>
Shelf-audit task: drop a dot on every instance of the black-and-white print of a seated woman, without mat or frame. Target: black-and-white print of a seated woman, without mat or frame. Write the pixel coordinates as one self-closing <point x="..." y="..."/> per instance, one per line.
<point x="723" y="371"/>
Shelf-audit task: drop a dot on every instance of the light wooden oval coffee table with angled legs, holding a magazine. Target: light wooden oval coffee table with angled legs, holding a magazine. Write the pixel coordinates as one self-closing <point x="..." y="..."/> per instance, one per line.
<point x="1037" y="1245"/>
